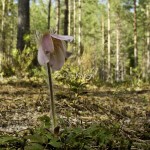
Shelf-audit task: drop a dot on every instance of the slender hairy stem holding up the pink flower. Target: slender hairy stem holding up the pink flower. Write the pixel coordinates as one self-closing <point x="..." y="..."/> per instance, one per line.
<point x="52" y="104"/>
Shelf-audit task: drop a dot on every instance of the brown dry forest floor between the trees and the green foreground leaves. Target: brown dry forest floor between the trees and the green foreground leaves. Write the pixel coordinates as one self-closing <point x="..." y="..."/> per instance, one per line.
<point x="21" y="104"/>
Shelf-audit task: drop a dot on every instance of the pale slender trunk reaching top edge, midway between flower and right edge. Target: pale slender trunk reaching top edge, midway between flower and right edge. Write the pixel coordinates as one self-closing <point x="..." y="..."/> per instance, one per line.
<point x="108" y="67"/>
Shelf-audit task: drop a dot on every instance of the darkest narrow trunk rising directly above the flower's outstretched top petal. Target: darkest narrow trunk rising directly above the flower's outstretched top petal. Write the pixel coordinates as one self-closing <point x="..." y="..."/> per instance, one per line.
<point x="66" y="18"/>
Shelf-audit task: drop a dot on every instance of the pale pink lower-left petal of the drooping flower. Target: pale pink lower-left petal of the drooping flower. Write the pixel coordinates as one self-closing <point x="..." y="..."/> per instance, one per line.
<point x="42" y="57"/>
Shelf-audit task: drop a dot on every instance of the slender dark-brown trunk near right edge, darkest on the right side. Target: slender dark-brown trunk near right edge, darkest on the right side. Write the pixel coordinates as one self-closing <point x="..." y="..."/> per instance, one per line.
<point x="135" y="37"/>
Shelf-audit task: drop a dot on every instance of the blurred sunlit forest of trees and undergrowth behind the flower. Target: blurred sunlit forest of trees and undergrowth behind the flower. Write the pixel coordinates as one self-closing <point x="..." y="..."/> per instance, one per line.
<point x="111" y="38"/>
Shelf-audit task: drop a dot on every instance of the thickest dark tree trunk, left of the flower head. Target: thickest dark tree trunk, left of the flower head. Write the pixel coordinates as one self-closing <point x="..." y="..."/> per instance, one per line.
<point x="23" y="24"/>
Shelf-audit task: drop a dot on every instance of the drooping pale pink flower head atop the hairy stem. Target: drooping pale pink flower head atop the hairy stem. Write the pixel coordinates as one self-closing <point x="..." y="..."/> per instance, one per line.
<point x="52" y="49"/>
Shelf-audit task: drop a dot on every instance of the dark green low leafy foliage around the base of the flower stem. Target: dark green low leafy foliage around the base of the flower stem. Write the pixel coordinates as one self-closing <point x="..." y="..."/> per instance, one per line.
<point x="96" y="136"/>
